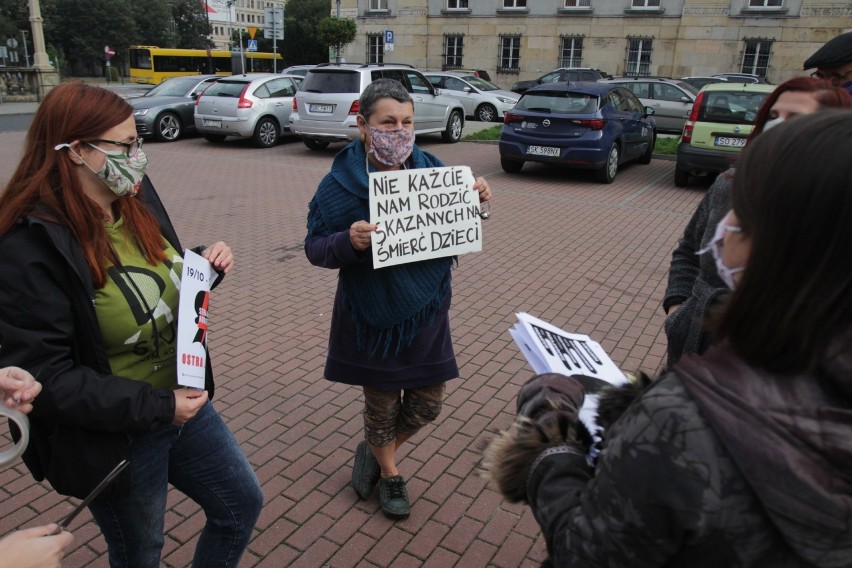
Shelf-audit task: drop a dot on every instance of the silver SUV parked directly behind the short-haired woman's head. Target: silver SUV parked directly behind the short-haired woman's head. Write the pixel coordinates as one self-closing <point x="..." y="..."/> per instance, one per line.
<point x="325" y="108"/>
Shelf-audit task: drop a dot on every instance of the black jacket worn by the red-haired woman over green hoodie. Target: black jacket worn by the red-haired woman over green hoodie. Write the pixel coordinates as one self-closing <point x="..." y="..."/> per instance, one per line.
<point x="81" y="422"/>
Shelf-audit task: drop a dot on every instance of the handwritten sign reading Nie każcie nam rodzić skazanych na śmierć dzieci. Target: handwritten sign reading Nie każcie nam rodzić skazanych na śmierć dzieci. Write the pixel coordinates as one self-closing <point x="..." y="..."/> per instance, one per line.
<point x="423" y="213"/>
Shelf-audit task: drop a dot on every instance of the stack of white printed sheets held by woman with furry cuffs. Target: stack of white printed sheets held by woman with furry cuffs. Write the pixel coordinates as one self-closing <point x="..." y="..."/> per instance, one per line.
<point x="549" y="349"/>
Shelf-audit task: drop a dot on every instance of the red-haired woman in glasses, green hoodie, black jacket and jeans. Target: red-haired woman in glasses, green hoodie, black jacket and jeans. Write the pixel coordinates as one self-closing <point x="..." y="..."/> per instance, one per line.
<point x="90" y="267"/>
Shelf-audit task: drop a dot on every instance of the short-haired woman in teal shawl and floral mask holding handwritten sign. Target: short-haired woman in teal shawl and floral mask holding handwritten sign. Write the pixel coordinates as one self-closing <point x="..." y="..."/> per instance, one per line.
<point x="390" y="329"/>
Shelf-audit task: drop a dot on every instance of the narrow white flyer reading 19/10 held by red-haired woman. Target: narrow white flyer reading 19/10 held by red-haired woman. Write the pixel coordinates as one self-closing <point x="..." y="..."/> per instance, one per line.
<point x="193" y="319"/>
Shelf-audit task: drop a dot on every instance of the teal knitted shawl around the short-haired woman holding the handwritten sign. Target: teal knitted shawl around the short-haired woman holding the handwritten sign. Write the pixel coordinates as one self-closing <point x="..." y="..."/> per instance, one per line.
<point x="389" y="306"/>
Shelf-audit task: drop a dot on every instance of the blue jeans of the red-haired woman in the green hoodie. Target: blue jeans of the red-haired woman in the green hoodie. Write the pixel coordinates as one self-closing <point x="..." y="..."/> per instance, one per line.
<point x="202" y="459"/>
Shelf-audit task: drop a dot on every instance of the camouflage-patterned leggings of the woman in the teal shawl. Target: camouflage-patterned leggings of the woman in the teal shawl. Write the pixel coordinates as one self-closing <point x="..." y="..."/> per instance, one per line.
<point x="388" y="413"/>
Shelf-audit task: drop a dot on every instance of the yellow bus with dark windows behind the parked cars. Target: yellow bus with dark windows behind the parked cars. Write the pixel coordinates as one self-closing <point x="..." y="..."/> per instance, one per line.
<point x="152" y="65"/>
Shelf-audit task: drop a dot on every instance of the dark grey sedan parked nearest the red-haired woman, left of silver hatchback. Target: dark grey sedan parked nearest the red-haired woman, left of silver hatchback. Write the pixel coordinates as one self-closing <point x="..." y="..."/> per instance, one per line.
<point x="165" y="112"/>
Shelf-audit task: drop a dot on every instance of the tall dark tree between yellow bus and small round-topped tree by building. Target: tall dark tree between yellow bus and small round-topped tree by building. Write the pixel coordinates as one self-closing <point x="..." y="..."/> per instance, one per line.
<point x="301" y="45"/>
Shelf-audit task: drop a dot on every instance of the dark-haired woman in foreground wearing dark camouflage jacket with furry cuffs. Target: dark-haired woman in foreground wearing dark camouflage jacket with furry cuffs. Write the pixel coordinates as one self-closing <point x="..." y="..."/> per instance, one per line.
<point x="742" y="456"/>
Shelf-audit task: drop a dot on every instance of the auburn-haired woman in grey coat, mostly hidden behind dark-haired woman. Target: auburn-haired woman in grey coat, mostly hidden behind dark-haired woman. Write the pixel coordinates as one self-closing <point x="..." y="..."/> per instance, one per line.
<point x="694" y="287"/>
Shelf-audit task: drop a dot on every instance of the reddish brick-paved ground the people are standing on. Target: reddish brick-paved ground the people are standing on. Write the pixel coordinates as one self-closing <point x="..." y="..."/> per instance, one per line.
<point x="587" y="257"/>
